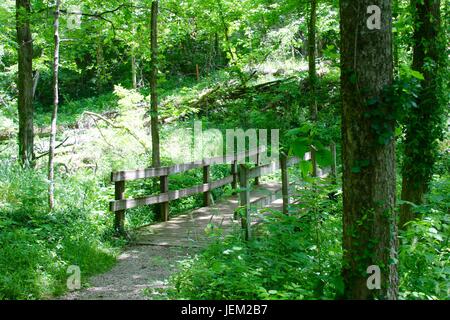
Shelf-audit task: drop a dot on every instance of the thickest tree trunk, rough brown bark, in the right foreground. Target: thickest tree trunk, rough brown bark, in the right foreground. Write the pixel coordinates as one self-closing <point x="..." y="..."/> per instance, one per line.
<point x="370" y="233"/>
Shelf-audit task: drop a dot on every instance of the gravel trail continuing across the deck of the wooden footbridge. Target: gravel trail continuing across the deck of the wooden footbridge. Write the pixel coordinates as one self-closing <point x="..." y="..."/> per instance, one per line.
<point x="143" y="269"/>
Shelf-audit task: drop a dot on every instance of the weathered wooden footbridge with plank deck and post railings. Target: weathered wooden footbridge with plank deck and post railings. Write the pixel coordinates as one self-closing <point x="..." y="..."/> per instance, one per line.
<point x="226" y="210"/>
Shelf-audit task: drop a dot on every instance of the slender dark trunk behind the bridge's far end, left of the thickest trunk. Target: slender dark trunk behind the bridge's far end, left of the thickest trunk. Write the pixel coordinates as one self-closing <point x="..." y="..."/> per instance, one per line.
<point x="312" y="73"/>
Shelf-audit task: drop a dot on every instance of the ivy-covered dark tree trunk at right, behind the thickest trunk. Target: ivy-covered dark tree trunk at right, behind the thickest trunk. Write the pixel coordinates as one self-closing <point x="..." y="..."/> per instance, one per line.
<point x="423" y="127"/>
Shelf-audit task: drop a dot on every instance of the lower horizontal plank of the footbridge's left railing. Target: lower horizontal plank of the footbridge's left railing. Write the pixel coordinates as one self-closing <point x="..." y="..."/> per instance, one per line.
<point x="168" y="196"/>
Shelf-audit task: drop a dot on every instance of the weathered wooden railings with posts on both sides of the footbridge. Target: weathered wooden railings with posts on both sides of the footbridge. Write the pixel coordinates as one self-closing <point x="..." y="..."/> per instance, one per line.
<point x="243" y="176"/>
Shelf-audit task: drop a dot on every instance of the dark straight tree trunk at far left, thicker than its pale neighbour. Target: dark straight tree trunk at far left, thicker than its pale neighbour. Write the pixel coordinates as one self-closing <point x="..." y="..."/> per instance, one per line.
<point x="25" y="82"/>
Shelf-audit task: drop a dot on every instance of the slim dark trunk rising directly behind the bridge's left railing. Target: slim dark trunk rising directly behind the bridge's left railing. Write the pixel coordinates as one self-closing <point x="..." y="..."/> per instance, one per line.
<point x="156" y="158"/>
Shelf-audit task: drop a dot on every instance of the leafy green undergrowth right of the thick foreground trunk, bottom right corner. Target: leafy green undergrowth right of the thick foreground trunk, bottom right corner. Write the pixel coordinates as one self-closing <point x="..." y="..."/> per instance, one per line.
<point x="424" y="253"/>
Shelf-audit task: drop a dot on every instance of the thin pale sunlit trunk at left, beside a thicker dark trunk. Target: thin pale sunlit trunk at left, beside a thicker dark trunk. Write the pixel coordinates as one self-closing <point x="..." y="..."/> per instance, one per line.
<point x="51" y="153"/>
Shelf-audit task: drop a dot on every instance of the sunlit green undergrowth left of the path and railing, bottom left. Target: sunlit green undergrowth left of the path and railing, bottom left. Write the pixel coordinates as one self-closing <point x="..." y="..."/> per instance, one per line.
<point x="37" y="246"/>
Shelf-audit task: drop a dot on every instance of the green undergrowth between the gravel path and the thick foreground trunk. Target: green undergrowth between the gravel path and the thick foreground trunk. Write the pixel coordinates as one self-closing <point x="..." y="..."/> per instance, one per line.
<point x="292" y="257"/>
